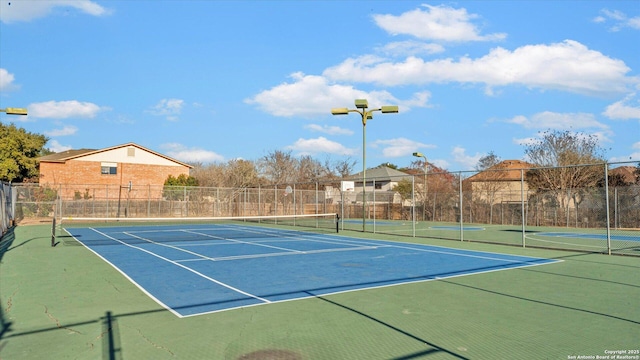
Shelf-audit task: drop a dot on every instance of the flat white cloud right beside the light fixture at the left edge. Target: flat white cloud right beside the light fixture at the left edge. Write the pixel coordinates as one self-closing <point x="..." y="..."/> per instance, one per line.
<point x="64" y="109"/>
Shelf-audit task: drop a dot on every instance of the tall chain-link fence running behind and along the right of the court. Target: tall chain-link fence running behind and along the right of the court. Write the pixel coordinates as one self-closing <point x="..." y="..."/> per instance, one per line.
<point x="501" y="207"/>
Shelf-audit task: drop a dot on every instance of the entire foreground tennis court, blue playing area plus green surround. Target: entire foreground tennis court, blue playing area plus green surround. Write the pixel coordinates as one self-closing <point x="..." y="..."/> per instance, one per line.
<point x="66" y="302"/>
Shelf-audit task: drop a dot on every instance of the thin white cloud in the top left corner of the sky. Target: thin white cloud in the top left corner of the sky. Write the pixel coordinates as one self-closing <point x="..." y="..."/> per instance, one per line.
<point x="24" y="10"/>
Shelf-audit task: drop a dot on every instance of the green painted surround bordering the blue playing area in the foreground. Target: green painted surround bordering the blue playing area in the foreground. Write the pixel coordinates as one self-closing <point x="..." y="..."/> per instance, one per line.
<point x="130" y="331"/>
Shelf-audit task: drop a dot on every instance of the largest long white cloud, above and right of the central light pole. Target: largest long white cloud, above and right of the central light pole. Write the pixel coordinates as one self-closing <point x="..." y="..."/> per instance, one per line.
<point x="568" y="66"/>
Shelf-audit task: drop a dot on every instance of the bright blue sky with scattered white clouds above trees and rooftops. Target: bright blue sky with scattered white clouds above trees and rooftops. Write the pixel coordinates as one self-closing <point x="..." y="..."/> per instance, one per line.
<point x="211" y="81"/>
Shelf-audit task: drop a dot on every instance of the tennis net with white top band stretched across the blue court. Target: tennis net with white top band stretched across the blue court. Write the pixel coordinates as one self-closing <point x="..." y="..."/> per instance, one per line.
<point x="73" y="230"/>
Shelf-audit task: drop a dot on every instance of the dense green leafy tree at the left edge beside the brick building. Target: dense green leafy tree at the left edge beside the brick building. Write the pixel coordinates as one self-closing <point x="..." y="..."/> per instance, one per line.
<point x="19" y="152"/>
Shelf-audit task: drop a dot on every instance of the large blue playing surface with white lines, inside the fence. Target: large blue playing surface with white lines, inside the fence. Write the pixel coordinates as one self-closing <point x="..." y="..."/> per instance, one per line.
<point x="197" y="269"/>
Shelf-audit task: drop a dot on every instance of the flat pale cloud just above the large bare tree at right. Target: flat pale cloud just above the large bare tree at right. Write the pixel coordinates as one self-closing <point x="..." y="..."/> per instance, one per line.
<point x="561" y="121"/>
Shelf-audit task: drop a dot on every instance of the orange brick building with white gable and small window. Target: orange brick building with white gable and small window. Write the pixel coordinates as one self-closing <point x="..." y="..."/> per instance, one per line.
<point x="119" y="166"/>
